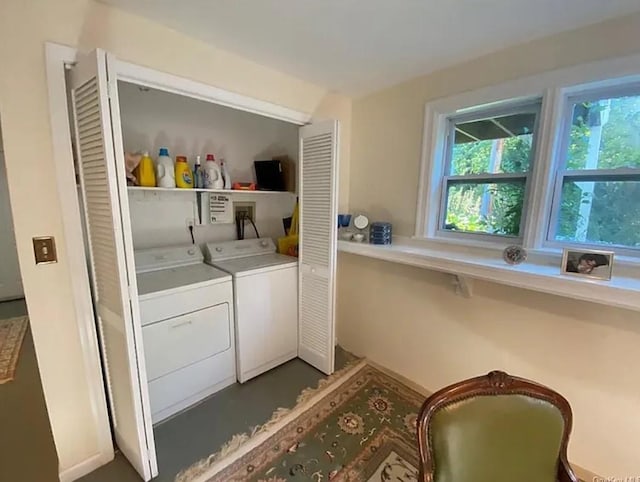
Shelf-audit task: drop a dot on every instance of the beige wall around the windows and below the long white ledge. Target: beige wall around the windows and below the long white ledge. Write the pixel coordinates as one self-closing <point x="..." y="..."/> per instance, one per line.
<point x="408" y="319"/>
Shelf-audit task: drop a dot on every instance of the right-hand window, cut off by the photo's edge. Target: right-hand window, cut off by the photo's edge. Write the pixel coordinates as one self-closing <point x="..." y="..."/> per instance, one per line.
<point x="597" y="188"/>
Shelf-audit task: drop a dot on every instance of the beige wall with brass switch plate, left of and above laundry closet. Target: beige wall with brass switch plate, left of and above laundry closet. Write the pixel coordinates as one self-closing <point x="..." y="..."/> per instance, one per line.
<point x="24" y="28"/>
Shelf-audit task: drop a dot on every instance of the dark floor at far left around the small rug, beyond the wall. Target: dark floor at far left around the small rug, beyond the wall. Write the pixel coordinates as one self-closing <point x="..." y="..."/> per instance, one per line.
<point x="27" y="449"/>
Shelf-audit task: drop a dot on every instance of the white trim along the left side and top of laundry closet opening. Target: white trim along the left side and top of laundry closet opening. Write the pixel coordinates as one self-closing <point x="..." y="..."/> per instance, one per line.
<point x="57" y="58"/>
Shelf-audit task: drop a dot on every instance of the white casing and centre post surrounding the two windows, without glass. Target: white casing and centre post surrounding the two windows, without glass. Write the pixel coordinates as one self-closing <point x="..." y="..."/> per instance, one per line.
<point x="555" y="88"/>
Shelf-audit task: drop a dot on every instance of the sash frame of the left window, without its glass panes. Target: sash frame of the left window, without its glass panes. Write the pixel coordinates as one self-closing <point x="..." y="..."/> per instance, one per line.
<point x="506" y="108"/>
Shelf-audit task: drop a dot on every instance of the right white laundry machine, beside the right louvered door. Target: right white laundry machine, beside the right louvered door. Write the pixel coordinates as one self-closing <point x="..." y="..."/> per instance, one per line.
<point x="266" y="302"/>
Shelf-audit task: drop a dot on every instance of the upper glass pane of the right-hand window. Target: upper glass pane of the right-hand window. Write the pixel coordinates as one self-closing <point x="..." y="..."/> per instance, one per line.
<point x="605" y="134"/>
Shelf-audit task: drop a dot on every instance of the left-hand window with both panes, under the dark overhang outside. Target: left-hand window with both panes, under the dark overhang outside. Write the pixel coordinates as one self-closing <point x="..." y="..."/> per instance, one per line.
<point x="487" y="167"/>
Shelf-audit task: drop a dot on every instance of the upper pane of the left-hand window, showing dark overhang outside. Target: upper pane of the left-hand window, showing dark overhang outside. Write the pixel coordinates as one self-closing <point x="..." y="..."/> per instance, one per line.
<point x="496" y="145"/>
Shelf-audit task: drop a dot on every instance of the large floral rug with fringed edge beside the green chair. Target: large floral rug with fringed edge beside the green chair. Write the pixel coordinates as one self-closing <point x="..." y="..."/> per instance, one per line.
<point x="359" y="426"/>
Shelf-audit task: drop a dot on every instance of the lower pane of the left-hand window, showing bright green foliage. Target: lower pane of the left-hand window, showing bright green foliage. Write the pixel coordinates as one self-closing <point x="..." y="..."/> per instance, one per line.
<point x="485" y="208"/>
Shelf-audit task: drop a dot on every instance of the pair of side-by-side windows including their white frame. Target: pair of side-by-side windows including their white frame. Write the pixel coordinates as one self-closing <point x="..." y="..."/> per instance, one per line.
<point x="546" y="162"/>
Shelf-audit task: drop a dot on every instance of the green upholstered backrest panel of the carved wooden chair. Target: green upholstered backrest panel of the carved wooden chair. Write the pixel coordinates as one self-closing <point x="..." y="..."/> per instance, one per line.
<point x="498" y="438"/>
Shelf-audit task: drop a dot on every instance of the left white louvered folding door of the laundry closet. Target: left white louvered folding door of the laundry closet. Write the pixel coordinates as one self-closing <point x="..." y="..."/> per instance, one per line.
<point x="113" y="274"/>
